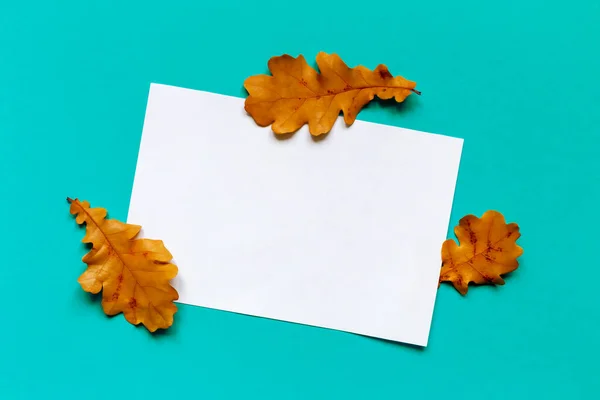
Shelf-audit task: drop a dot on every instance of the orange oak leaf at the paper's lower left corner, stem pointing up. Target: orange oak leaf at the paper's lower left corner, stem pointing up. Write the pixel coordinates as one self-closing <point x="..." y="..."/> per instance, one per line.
<point x="133" y="274"/>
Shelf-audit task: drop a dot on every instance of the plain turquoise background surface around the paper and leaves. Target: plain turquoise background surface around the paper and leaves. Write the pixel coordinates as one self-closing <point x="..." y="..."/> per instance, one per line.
<point x="517" y="79"/>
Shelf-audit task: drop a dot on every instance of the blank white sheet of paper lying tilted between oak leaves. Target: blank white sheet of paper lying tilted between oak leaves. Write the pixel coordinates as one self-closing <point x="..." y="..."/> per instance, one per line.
<point x="343" y="233"/>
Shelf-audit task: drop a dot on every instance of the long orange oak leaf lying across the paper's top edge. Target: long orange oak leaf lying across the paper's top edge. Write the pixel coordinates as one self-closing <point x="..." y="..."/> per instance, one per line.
<point x="296" y="94"/>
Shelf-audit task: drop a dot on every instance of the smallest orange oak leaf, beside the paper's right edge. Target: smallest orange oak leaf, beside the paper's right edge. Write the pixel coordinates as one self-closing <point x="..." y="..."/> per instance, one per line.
<point x="487" y="250"/>
